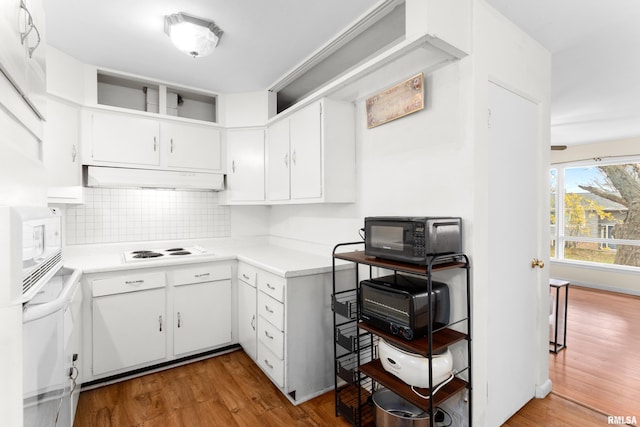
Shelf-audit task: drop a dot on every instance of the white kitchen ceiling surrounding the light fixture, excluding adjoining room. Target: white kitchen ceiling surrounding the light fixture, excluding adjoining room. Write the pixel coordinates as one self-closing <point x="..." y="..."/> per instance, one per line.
<point x="262" y="40"/>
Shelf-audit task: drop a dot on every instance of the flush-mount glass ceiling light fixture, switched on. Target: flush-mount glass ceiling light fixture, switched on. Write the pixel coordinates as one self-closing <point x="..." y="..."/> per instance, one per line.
<point x="194" y="36"/>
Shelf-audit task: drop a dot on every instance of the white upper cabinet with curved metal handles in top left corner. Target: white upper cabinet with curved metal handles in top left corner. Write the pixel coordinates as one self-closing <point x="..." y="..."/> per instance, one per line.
<point x="22" y="57"/>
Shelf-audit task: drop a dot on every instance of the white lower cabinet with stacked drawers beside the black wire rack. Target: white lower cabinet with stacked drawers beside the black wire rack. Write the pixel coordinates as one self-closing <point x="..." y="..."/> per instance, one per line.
<point x="294" y="329"/>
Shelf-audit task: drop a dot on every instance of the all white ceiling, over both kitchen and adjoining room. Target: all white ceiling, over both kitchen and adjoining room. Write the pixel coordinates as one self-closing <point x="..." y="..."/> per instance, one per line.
<point x="595" y="84"/>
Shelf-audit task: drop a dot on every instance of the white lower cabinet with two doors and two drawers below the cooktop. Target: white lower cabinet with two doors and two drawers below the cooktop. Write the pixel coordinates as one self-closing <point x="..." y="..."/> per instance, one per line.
<point x="143" y="317"/>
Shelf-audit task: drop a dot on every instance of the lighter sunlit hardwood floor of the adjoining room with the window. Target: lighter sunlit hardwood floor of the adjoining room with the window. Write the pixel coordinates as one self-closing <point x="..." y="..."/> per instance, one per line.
<point x="600" y="367"/>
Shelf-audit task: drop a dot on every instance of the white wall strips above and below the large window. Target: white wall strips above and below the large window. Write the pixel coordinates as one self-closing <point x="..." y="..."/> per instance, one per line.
<point x="596" y="276"/>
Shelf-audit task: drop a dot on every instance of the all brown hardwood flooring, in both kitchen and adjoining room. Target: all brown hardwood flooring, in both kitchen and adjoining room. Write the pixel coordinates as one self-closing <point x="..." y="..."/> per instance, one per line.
<point x="600" y="368"/>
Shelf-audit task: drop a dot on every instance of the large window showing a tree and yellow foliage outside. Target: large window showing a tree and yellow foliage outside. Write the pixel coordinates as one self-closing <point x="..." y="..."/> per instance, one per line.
<point x="595" y="211"/>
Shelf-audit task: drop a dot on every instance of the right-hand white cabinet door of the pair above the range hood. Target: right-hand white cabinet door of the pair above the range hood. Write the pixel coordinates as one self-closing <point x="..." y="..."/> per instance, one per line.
<point x="192" y="146"/>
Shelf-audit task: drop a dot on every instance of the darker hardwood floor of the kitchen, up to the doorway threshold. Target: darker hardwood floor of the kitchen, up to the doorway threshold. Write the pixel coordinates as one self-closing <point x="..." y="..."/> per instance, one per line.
<point x="230" y="390"/>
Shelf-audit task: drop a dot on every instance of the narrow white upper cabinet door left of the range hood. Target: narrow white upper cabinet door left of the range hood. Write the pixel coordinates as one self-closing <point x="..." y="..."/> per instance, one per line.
<point x="61" y="153"/>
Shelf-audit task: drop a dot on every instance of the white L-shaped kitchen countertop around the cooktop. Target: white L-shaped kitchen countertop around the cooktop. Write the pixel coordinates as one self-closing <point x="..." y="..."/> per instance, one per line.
<point x="279" y="260"/>
